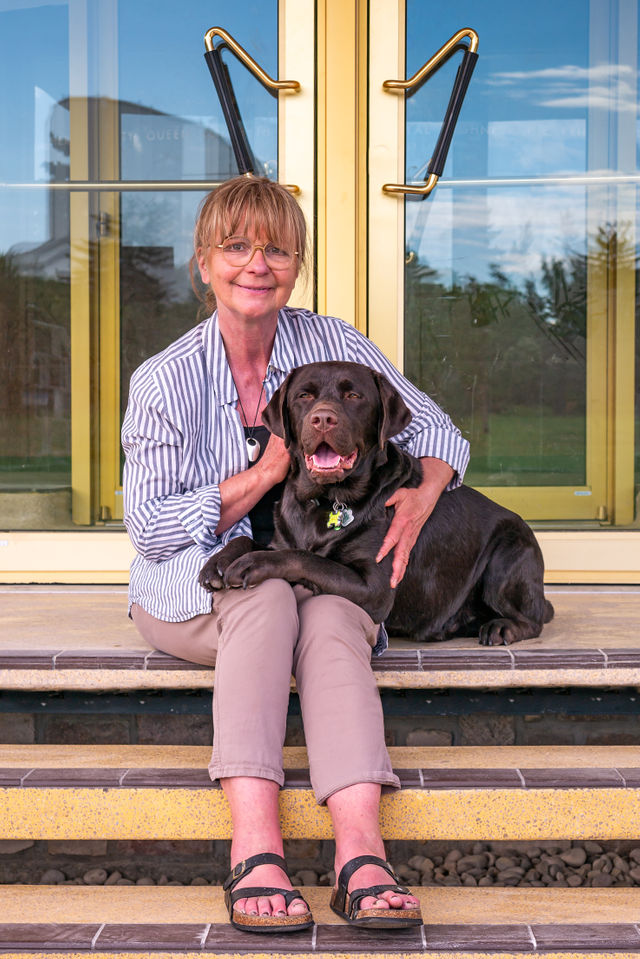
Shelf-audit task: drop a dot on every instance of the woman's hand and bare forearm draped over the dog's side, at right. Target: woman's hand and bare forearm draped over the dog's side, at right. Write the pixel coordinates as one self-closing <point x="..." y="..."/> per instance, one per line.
<point x="412" y="508"/>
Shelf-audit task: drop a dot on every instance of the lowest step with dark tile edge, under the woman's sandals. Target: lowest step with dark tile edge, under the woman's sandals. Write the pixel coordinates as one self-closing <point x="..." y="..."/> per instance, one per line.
<point x="169" y="921"/>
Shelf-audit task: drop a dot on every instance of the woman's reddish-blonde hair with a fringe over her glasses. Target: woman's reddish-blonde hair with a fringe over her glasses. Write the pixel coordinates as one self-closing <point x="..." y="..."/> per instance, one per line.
<point x="243" y="204"/>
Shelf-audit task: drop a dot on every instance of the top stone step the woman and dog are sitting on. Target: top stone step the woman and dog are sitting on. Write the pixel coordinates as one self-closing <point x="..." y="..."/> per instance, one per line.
<point x="79" y="638"/>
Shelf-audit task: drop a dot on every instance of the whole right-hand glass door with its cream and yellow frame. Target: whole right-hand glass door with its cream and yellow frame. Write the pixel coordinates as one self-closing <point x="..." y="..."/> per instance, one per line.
<point x="517" y="276"/>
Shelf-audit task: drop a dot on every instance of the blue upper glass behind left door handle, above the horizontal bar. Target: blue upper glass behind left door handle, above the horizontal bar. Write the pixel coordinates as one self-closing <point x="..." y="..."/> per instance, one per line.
<point x="172" y="126"/>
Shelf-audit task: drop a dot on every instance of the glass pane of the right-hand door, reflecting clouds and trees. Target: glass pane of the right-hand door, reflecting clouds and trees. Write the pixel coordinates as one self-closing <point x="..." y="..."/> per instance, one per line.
<point x="506" y="264"/>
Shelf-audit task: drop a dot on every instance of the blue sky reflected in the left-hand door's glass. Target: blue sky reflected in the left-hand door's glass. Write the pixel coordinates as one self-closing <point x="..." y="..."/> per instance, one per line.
<point x="152" y="61"/>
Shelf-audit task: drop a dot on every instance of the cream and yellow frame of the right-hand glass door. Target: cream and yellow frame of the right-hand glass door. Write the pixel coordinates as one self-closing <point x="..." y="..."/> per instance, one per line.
<point x="608" y="494"/>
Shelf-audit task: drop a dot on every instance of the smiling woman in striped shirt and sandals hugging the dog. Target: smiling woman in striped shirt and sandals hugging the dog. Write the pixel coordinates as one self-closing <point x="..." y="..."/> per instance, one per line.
<point x="197" y="464"/>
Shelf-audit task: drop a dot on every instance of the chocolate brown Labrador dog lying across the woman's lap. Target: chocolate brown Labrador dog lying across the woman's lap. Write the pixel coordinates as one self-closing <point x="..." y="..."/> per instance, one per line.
<point x="476" y="568"/>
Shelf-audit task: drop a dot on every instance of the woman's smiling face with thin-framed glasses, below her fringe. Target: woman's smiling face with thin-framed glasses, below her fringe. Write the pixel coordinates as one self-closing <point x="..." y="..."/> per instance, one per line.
<point x="253" y="292"/>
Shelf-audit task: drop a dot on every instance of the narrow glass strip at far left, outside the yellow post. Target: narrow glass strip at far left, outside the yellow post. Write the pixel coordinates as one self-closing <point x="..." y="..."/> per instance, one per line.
<point x="35" y="372"/>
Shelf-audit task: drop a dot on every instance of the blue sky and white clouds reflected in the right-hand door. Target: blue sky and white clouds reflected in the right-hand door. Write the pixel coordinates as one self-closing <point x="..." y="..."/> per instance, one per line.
<point x="554" y="94"/>
